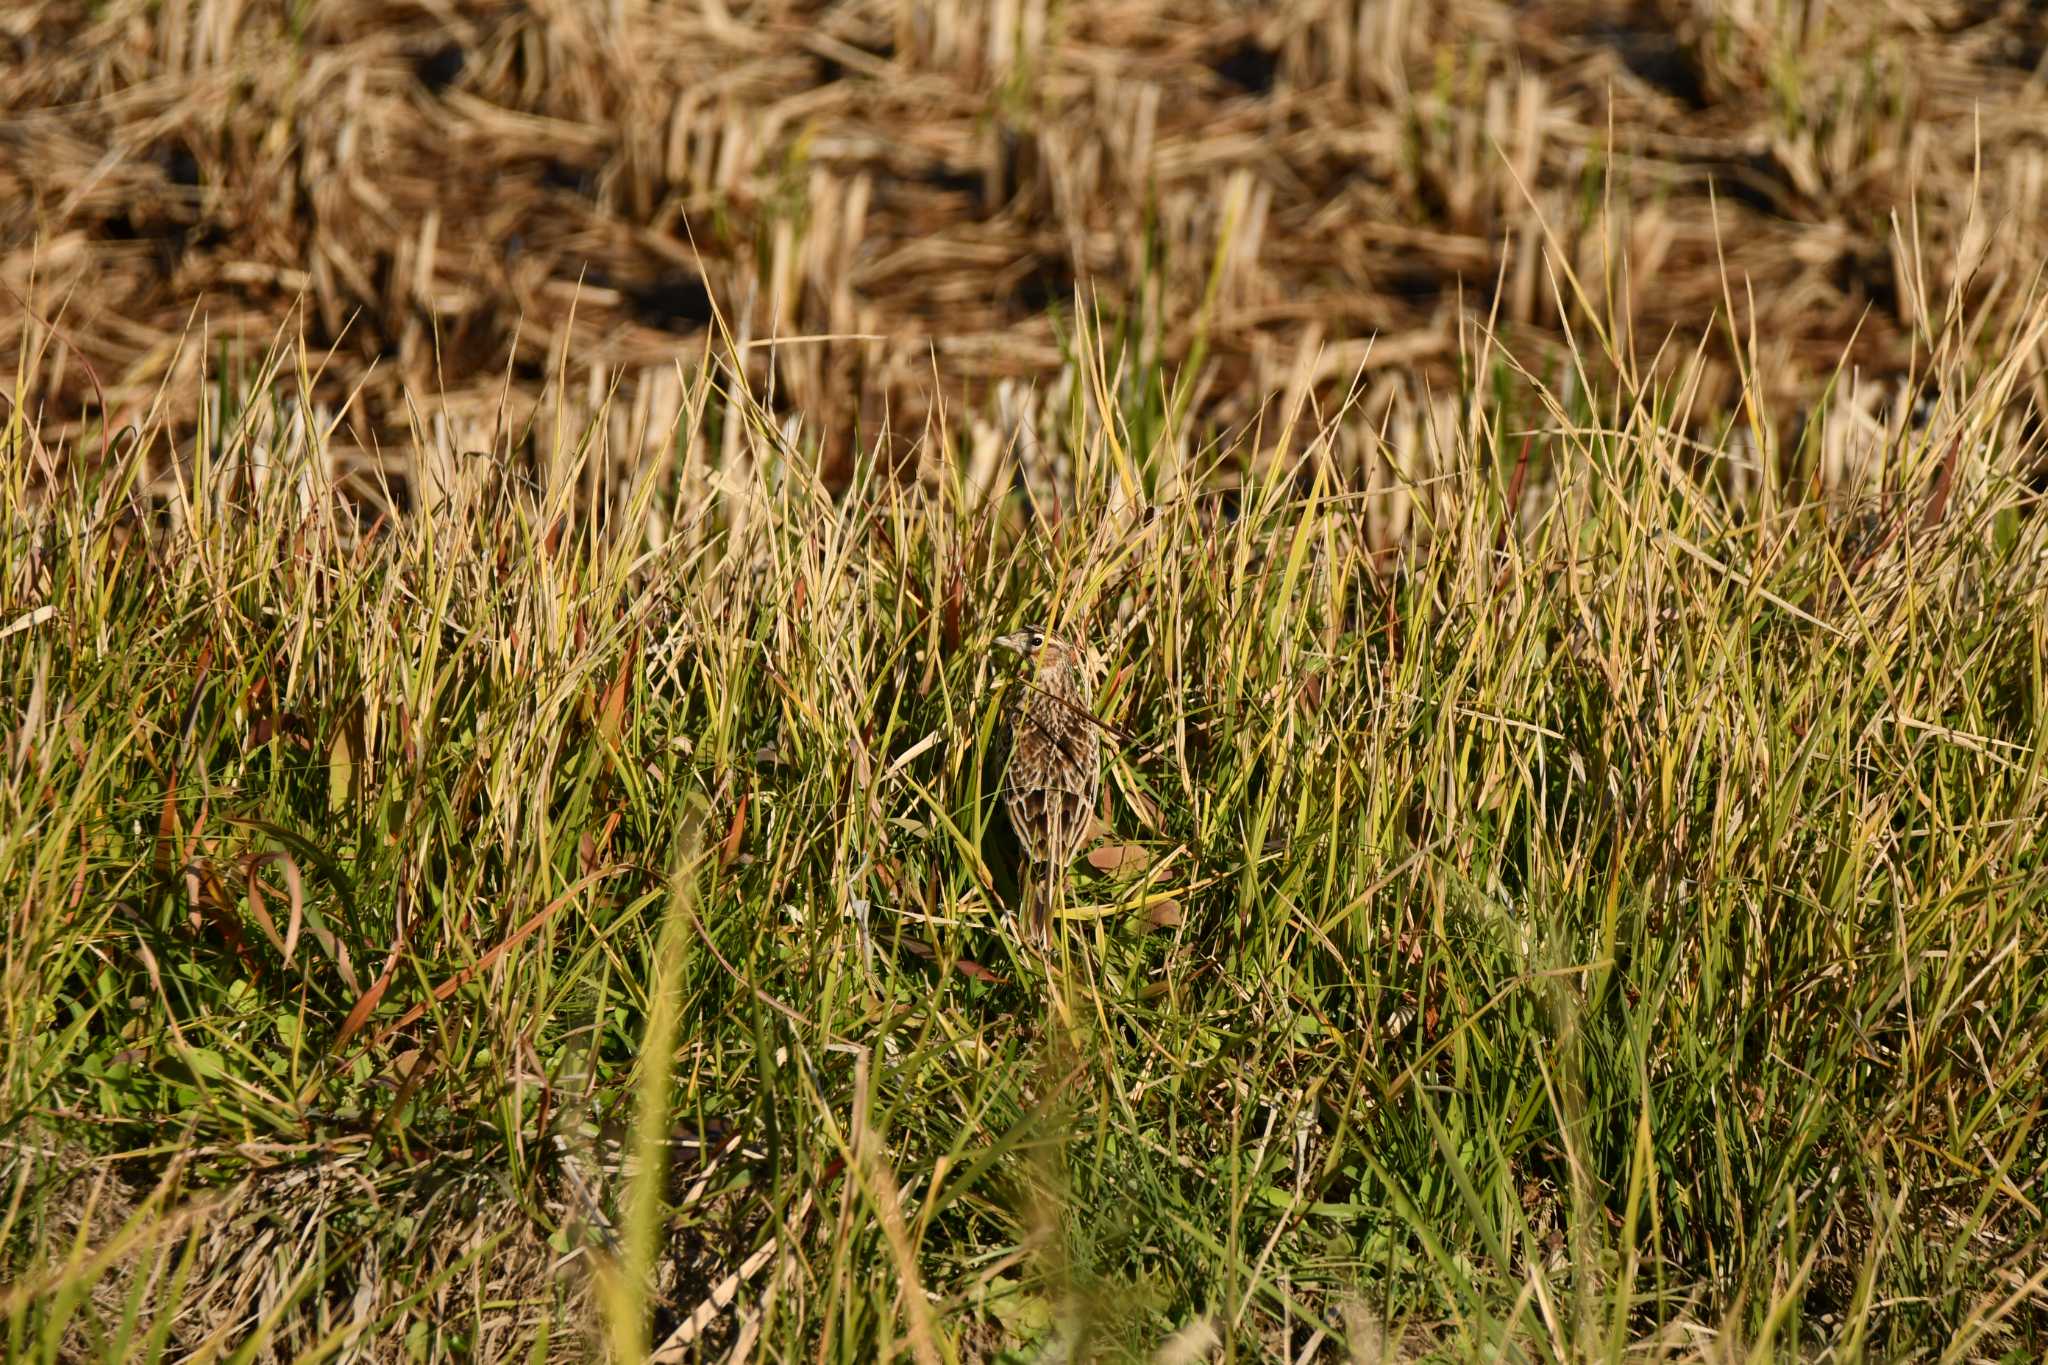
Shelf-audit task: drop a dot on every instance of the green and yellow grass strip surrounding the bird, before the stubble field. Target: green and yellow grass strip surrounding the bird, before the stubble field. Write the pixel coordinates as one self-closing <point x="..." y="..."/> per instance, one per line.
<point x="568" y="914"/>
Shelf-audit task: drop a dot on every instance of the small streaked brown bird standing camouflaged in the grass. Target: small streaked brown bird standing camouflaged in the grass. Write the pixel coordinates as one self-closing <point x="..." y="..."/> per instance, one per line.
<point x="1056" y="756"/>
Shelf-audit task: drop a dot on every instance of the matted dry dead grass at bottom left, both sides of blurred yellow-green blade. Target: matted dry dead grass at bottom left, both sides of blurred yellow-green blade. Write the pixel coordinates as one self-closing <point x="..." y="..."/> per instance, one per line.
<point x="325" y="1247"/>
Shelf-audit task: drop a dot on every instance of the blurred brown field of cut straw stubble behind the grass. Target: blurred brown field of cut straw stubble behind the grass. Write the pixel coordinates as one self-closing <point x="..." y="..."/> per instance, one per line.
<point x="466" y="208"/>
